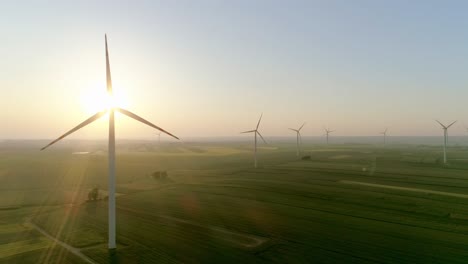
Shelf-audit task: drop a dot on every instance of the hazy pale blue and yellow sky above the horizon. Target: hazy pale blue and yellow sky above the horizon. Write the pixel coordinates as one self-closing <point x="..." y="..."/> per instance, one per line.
<point x="209" y="68"/>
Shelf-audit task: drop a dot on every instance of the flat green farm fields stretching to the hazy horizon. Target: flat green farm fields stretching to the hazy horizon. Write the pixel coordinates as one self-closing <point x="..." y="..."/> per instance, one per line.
<point x="349" y="203"/>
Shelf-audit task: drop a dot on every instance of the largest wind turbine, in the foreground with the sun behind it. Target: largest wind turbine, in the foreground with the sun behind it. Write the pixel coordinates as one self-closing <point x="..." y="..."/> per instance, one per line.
<point x="111" y="147"/>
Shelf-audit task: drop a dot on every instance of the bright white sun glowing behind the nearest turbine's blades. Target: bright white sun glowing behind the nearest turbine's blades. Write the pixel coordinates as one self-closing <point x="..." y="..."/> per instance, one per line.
<point x="95" y="99"/>
